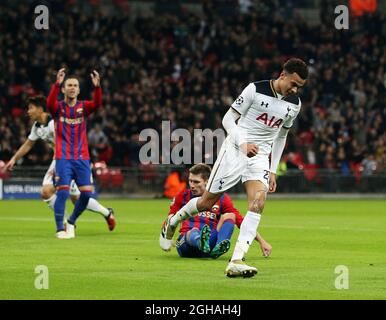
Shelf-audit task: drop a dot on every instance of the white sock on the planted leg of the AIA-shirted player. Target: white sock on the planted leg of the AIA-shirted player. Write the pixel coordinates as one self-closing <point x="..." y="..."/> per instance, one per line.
<point x="247" y="234"/>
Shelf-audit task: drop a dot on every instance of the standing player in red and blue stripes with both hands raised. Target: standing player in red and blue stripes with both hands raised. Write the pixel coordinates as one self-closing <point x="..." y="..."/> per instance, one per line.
<point x="71" y="146"/>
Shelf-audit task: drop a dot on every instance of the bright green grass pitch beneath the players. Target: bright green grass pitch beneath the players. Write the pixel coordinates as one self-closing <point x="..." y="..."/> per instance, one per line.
<point x="309" y="239"/>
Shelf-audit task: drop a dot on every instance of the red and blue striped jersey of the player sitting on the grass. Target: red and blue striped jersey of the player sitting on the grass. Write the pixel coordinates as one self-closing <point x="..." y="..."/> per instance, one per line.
<point x="211" y="218"/>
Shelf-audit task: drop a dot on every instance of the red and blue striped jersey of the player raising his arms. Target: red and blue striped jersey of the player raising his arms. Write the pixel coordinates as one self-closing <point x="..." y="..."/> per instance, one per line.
<point x="70" y="124"/>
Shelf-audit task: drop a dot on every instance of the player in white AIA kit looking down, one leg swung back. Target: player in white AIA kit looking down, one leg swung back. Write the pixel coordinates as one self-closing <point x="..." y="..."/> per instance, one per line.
<point x="257" y="125"/>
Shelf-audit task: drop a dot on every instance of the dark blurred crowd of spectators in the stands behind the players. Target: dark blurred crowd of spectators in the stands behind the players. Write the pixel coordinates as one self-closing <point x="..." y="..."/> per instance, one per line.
<point x="188" y="68"/>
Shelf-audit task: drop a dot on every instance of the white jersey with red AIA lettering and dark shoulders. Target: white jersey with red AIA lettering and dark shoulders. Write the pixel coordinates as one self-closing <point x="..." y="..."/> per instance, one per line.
<point x="263" y="112"/>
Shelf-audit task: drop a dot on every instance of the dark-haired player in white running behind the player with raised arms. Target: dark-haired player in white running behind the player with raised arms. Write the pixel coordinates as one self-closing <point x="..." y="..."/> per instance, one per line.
<point x="43" y="128"/>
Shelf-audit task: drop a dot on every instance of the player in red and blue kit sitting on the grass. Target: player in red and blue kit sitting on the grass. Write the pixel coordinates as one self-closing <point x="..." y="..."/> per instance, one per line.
<point x="207" y="234"/>
